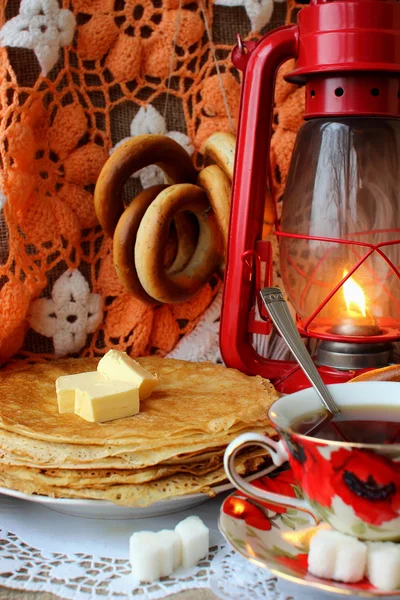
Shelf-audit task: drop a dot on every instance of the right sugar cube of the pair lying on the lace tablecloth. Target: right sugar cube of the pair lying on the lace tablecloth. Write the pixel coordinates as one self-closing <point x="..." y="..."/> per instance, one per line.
<point x="195" y="540"/>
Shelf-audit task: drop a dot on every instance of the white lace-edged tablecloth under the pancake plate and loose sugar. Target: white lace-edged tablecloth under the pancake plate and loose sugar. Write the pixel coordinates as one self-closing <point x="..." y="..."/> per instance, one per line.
<point x="82" y="559"/>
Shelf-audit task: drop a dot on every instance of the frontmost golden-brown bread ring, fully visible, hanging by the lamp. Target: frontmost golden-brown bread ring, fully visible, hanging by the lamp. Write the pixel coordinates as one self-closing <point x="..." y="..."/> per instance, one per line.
<point x="152" y="236"/>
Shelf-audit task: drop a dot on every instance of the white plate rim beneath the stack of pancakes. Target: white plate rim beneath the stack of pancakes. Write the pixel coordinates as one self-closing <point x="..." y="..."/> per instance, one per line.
<point x="100" y="509"/>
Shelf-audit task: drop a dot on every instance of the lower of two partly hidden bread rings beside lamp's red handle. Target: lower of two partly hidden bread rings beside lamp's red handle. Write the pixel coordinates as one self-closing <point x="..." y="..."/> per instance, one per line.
<point x="217" y="186"/>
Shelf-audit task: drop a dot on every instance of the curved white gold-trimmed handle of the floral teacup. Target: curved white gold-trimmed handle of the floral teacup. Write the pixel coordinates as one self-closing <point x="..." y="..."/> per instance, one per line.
<point x="279" y="456"/>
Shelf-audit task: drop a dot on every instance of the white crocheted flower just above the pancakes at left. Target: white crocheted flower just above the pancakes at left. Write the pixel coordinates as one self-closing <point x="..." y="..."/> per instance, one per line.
<point x="70" y="315"/>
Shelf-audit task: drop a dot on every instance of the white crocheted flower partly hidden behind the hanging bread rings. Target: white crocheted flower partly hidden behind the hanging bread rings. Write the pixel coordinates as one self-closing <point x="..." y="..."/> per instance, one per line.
<point x="149" y="120"/>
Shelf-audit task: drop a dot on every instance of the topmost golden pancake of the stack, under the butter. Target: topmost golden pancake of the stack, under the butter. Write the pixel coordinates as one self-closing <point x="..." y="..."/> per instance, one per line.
<point x="191" y="401"/>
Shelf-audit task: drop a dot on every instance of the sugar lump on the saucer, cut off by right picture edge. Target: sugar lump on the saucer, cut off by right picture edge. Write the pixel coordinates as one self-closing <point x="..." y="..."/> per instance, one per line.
<point x="384" y="565"/>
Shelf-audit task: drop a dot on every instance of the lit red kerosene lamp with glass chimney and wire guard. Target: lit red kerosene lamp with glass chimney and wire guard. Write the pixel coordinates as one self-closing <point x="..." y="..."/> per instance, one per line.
<point x="339" y="233"/>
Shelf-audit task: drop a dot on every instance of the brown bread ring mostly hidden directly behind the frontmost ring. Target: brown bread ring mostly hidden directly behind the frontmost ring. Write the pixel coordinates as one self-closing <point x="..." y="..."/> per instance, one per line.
<point x="125" y="238"/>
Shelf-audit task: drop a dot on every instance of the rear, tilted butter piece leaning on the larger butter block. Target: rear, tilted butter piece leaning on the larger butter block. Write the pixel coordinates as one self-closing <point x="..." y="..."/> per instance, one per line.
<point x="120" y="367"/>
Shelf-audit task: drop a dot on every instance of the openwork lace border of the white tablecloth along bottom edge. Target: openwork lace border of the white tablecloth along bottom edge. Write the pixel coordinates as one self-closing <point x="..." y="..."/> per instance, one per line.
<point x="83" y="576"/>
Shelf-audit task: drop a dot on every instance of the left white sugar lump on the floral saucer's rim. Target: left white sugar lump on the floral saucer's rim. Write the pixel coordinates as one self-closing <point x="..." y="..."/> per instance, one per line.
<point x="334" y="555"/>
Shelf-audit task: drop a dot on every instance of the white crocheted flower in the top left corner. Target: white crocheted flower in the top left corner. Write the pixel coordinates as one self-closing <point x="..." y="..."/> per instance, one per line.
<point x="41" y="26"/>
